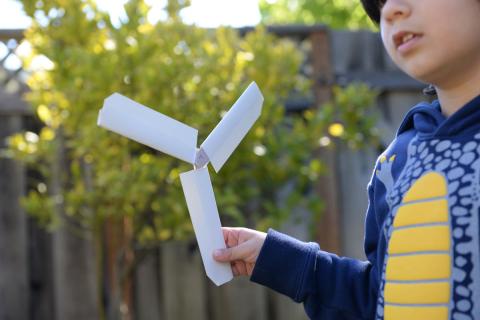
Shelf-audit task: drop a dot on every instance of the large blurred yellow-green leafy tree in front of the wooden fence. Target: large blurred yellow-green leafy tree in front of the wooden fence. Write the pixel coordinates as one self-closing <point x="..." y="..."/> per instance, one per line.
<point x="125" y="195"/>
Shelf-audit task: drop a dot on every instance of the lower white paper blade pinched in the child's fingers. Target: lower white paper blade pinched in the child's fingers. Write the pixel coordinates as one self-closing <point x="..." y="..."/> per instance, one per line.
<point x="202" y="207"/>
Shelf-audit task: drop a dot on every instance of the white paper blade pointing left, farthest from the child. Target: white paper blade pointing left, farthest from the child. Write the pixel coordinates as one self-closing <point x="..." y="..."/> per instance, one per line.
<point x="149" y="127"/>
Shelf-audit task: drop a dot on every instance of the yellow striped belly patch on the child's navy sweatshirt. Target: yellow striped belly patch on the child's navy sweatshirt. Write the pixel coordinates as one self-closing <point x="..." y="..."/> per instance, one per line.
<point x="419" y="262"/>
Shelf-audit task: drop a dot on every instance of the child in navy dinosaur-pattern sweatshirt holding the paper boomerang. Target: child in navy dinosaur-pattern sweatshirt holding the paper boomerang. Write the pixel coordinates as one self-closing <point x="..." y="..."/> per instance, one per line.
<point x="422" y="224"/>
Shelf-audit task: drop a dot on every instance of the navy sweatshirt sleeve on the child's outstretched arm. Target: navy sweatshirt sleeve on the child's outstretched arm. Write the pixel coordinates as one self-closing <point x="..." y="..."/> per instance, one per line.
<point x="331" y="287"/>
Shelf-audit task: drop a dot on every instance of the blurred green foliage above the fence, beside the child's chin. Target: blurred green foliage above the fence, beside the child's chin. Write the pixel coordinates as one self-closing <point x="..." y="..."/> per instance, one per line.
<point x="336" y="14"/>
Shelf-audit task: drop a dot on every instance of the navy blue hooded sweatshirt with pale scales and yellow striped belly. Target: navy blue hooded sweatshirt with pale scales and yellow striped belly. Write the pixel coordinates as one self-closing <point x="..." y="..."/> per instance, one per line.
<point x="421" y="232"/>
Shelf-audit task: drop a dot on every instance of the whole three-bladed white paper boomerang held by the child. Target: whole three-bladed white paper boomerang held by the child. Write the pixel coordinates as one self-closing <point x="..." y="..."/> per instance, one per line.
<point x="137" y="122"/>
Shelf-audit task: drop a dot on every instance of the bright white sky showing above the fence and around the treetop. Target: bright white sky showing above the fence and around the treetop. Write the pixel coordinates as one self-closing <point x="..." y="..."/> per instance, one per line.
<point x="204" y="13"/>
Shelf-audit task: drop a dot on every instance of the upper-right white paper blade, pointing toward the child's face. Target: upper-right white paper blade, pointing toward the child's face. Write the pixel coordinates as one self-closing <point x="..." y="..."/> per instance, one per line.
<point x="230" y="131"/>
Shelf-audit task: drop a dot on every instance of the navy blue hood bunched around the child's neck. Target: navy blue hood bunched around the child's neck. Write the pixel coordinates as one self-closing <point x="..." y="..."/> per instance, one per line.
<point x="429" y="122"/>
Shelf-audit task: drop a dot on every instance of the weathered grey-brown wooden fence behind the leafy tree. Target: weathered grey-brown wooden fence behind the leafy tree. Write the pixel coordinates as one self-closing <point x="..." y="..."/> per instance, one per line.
<point x="169" y="282"/>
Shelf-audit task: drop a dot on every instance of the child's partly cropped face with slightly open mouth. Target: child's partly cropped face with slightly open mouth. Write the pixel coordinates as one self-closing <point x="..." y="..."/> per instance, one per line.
<point x="434" y="41"/>
